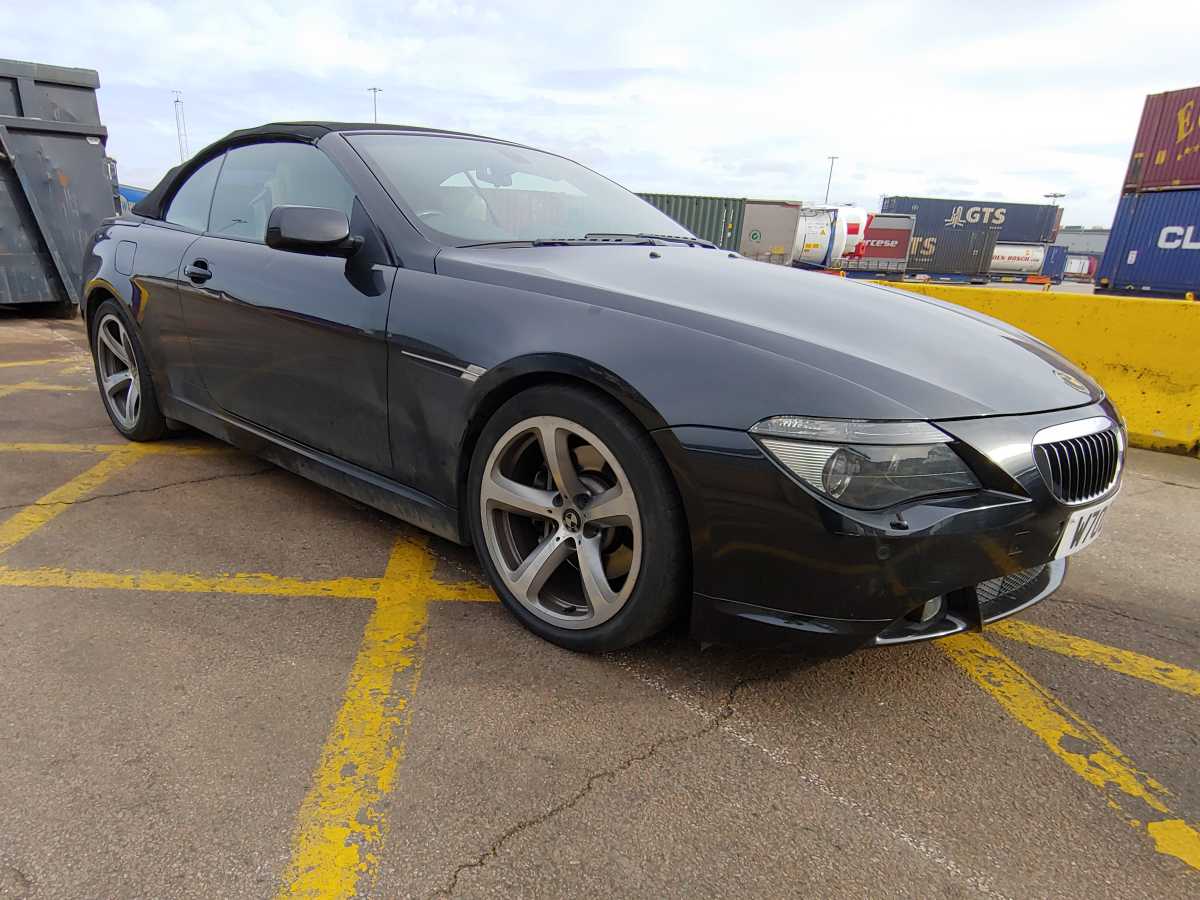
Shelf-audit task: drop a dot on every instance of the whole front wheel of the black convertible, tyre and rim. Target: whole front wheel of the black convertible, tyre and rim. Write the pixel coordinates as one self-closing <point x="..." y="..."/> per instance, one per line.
<point x="578" y="521"/>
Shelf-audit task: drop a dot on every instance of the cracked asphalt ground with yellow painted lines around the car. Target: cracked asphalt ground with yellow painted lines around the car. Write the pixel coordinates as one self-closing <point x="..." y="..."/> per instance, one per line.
<point x="218" y="680"/>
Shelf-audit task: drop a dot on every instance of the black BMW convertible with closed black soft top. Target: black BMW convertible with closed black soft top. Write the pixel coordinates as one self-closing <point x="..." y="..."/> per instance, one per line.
<point x="631" y="425"/>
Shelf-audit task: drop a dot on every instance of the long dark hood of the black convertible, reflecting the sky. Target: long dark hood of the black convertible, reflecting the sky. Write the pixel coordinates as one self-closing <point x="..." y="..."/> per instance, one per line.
<point x="935" y="361"/>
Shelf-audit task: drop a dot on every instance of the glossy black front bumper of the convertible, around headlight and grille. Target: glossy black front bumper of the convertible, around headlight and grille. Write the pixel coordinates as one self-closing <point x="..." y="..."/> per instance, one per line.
<point x="776" y="563"/>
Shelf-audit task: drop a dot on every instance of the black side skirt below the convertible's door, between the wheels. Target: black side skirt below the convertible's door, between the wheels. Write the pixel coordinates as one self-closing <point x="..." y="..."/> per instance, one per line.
<point x="369" y="488"/>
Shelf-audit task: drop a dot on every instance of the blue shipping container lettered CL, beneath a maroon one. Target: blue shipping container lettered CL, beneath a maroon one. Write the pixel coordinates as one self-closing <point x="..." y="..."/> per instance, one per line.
<point x="1155" y="247"/>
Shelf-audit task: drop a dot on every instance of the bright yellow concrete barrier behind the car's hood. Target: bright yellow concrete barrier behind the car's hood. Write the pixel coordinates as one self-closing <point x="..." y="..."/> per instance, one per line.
<point x="1144" y="352"/>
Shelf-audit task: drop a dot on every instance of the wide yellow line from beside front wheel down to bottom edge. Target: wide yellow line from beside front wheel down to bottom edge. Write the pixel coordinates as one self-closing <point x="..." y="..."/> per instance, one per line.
<point x="343" y="825"/>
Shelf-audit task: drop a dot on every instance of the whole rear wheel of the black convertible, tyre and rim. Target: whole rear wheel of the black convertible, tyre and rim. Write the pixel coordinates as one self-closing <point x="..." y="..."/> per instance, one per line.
<point x="123" y="375"/>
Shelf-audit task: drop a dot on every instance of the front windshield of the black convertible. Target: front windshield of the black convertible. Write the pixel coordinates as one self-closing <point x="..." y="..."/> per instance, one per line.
<point x="473" y="191"/>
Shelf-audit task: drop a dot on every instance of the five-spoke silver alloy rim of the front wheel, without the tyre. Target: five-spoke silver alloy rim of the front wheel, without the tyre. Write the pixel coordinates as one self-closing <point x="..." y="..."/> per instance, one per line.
<point x="561" y="521"/>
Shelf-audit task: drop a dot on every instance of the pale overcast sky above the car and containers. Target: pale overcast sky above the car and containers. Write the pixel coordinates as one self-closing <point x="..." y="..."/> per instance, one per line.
<point x="983" y="100"/>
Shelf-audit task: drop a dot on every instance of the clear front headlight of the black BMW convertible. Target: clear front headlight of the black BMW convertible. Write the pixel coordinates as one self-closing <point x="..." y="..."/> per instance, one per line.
<point x="866" y="465"/>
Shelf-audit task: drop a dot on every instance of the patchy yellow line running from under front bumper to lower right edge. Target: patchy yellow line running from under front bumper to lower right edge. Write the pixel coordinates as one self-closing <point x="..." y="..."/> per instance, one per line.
<point x="1141" y="800"/>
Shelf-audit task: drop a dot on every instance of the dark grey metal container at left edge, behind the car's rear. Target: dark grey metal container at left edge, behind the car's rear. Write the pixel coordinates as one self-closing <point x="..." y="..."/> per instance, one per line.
<point x="56" y="183"/>
